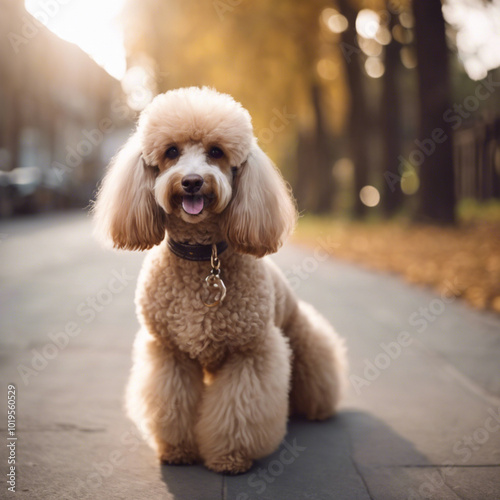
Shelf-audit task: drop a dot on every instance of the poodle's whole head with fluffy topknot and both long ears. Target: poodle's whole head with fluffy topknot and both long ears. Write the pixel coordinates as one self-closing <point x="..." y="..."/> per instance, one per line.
<point x="194" y="156"/>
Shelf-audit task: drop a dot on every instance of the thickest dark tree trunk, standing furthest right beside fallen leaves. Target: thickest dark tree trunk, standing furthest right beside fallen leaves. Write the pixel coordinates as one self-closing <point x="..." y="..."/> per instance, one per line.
<point x="437" y="196"/>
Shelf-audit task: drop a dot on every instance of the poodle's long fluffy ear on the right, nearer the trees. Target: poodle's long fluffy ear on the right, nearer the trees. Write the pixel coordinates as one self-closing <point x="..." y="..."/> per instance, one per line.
<point x="262" y="212"/>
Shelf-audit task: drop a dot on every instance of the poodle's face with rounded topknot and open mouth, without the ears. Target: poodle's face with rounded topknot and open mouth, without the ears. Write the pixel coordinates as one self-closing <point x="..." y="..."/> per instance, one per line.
<point x="196" y="139"/>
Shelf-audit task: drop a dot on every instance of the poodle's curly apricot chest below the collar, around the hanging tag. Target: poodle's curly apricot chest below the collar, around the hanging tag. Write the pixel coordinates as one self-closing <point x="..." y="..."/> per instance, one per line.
<point x="172" y="305"/>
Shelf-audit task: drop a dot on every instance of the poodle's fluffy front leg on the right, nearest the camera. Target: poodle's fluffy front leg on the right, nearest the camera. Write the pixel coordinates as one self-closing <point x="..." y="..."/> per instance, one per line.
<point x="244" y="410"/>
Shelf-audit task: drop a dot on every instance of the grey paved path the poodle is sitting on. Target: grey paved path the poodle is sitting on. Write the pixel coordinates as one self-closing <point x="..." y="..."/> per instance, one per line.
<point x="421" y="419"/>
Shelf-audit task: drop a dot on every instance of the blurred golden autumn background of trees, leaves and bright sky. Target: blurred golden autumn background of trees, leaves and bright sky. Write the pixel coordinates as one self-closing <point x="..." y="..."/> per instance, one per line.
<point x="374" y="110"/>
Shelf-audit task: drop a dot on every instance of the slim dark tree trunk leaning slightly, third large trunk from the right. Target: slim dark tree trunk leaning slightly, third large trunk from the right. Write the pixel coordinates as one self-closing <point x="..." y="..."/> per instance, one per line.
<point x="357" y="129"/>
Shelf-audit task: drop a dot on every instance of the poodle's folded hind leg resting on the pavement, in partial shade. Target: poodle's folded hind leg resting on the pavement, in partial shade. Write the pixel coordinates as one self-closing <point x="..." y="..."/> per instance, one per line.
<point x="319" y="364"/>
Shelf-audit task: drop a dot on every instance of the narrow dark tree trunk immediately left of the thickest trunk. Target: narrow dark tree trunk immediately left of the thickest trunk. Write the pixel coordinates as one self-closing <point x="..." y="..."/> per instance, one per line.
<point x="392" y="196"/>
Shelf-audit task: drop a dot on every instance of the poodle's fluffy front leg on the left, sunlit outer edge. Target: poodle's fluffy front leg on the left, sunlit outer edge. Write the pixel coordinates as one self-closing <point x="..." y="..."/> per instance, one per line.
<point x="163" y="395"/>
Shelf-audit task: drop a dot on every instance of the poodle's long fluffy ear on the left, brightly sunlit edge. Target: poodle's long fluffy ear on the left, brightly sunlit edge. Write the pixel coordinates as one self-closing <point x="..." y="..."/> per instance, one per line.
<point x="125" y="212"/>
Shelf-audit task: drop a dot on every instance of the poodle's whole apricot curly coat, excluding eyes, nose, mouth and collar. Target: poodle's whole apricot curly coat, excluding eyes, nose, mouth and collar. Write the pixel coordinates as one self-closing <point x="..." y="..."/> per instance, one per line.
<point x="214" y="384"/>
